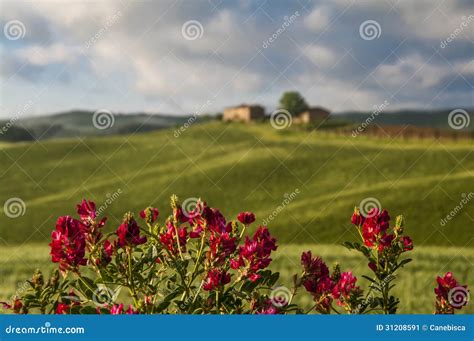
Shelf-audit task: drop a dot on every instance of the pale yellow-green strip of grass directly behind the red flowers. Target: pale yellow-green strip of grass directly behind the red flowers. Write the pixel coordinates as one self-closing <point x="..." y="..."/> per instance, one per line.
<point x="414" y="287"/>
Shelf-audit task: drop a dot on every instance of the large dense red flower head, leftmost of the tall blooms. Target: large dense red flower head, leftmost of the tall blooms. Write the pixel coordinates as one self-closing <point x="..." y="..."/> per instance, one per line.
<point x="68" y="244"/>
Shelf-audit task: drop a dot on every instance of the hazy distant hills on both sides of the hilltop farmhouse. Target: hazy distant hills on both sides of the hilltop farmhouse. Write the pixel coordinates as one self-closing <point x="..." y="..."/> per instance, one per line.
<point x="80" y="123"/>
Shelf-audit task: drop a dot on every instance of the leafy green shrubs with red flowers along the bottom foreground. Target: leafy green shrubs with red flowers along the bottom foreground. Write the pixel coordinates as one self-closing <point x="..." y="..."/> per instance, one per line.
<point x="197" y="262"/>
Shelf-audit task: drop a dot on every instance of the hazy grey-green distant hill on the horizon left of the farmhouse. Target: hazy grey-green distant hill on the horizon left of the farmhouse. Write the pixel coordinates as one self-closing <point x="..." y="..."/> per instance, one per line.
<point x="81" y="124"/>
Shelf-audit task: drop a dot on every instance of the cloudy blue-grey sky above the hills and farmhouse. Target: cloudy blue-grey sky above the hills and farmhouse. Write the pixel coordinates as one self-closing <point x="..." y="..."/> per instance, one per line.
<point x="186" y="56"/>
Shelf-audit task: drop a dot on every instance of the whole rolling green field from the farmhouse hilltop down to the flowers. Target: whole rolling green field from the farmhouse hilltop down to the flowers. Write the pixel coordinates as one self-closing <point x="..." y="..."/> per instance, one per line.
<point x="250" y="167"/>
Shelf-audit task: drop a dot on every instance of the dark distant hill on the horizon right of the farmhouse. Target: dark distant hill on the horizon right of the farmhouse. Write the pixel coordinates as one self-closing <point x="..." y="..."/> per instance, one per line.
<point x="418" y="118"/>
